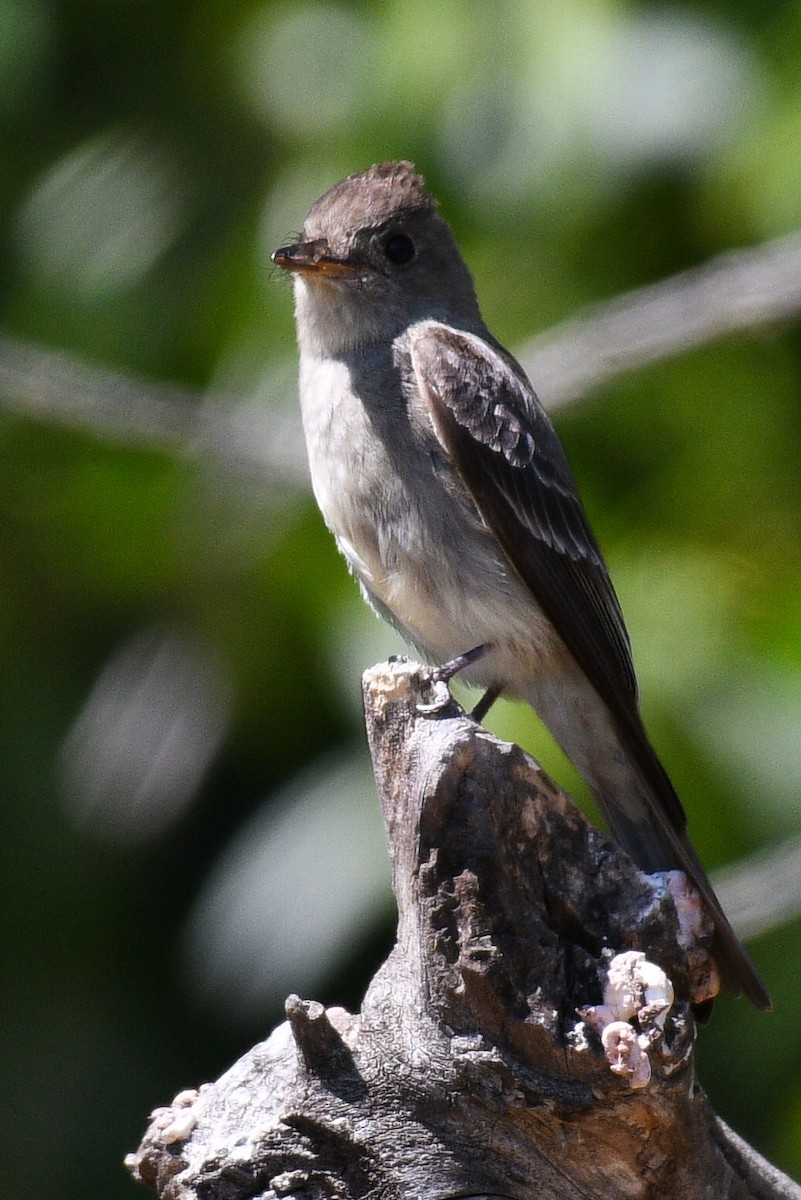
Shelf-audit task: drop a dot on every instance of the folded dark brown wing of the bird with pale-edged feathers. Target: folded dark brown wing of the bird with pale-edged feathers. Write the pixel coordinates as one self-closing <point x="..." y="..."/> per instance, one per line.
<point x="507" y="451"/>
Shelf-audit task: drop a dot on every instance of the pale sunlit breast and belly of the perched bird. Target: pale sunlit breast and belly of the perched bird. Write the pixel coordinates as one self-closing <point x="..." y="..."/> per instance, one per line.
<point x="414" y="541"/>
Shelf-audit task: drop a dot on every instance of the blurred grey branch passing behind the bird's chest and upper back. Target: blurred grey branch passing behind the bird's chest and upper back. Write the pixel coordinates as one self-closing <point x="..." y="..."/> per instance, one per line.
<point x="734" y="293"/>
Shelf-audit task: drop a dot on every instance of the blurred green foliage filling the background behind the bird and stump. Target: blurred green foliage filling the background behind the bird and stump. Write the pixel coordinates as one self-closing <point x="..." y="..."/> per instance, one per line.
<point x="180" y="643"/>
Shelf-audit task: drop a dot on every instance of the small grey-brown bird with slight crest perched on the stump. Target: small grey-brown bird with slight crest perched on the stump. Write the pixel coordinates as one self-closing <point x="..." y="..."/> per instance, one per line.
<point x="449" y="494"/>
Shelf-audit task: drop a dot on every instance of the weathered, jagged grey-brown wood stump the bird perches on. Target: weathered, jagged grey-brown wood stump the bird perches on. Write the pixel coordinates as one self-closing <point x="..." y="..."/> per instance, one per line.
<point x="522" y="1039"/>
